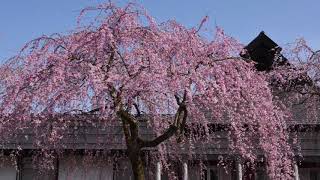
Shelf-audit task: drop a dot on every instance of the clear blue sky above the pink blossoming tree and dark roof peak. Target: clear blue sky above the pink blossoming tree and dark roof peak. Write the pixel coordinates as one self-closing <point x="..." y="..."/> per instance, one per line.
<point x="282" y="20"/>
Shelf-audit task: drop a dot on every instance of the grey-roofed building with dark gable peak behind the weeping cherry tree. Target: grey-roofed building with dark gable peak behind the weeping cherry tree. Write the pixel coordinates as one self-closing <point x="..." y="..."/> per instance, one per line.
<point x="84" y="138"/>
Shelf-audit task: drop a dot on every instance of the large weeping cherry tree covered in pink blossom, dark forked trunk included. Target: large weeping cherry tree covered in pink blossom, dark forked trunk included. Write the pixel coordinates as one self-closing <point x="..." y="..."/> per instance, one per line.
<point x="124" y="65"/>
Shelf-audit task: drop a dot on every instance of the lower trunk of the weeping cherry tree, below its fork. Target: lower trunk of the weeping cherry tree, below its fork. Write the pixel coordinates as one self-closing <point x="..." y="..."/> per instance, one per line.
<point x="137" y="165"/>
